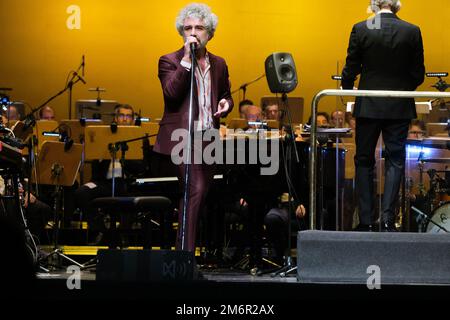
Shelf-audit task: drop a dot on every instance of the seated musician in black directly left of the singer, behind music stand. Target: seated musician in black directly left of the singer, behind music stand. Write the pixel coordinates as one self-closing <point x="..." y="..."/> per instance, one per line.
<point x="102" y="173"/>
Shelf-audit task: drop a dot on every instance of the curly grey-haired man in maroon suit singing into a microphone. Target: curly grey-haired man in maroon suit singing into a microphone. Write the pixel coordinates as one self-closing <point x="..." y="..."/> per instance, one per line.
<point x="174" y="74"/>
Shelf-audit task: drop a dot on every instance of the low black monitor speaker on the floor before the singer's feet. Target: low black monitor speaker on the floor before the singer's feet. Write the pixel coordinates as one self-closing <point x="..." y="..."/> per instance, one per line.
<point x="145" y="266"/>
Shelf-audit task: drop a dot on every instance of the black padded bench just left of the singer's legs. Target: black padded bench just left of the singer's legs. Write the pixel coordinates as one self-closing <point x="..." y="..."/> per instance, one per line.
<point x="117" y="207"/>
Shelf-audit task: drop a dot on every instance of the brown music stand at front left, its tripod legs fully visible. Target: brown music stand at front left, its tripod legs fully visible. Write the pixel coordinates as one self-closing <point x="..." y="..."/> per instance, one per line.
<point x="58" y="165"/>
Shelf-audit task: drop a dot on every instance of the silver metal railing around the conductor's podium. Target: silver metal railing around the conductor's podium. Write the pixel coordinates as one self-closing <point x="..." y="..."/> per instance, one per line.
<point x="348" y="93"/>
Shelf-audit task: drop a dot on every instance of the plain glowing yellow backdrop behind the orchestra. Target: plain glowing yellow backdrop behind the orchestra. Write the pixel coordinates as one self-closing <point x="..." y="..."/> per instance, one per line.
<point x="122" y="41"/>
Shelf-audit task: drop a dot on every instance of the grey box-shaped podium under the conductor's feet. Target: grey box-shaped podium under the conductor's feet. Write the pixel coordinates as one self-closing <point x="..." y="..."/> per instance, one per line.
<point x="353" y="257"/>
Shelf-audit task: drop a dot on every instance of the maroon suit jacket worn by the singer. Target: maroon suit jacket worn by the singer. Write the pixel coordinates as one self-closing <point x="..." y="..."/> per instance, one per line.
<point x="175" y="82"/>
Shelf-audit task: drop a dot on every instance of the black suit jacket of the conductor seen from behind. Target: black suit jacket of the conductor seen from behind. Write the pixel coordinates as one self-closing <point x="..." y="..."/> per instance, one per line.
<point x="388" y="58"/>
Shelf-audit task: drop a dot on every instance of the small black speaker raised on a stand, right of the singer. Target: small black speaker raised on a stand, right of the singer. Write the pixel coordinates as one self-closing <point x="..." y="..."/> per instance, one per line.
<point x="281" y="74"/>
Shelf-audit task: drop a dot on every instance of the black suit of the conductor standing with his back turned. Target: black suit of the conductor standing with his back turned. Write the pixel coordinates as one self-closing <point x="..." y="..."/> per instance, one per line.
<point x="388" y="58"/>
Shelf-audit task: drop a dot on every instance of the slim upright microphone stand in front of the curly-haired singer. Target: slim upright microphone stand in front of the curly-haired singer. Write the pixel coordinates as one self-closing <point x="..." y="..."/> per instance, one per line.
<point x="187" y="158"/>
